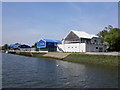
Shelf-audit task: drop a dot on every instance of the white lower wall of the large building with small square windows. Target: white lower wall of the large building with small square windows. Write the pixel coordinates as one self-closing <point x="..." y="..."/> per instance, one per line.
<point x="81" y="47"/>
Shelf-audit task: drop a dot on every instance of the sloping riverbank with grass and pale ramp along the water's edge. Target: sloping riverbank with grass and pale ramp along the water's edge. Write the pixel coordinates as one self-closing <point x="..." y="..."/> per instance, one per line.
<point x="106" y="60"/>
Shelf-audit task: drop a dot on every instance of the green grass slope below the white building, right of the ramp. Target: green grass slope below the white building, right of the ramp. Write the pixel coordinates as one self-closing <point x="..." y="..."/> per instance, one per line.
<point x="93" y="59"/>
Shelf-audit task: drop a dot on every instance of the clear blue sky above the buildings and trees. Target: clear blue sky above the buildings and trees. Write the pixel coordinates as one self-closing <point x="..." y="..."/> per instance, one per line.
<point x="28" y="22"/>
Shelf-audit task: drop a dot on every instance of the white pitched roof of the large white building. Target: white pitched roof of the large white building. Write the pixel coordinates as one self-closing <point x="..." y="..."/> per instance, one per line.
<point x="82" y="34"/>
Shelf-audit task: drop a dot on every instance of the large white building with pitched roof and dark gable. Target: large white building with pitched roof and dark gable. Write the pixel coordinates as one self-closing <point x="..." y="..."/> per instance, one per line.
<point x="79" y="41"/>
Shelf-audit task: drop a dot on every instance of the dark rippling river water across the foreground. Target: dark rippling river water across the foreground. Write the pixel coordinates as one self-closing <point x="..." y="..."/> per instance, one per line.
<point x="28" y="72"/>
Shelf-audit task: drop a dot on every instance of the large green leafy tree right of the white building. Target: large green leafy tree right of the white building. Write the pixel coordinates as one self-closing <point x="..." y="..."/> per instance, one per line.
<point x="111" y="36"/>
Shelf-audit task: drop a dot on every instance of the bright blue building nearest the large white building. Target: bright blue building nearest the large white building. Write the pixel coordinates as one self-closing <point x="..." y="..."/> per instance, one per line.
<point x="48" y="45"/>
